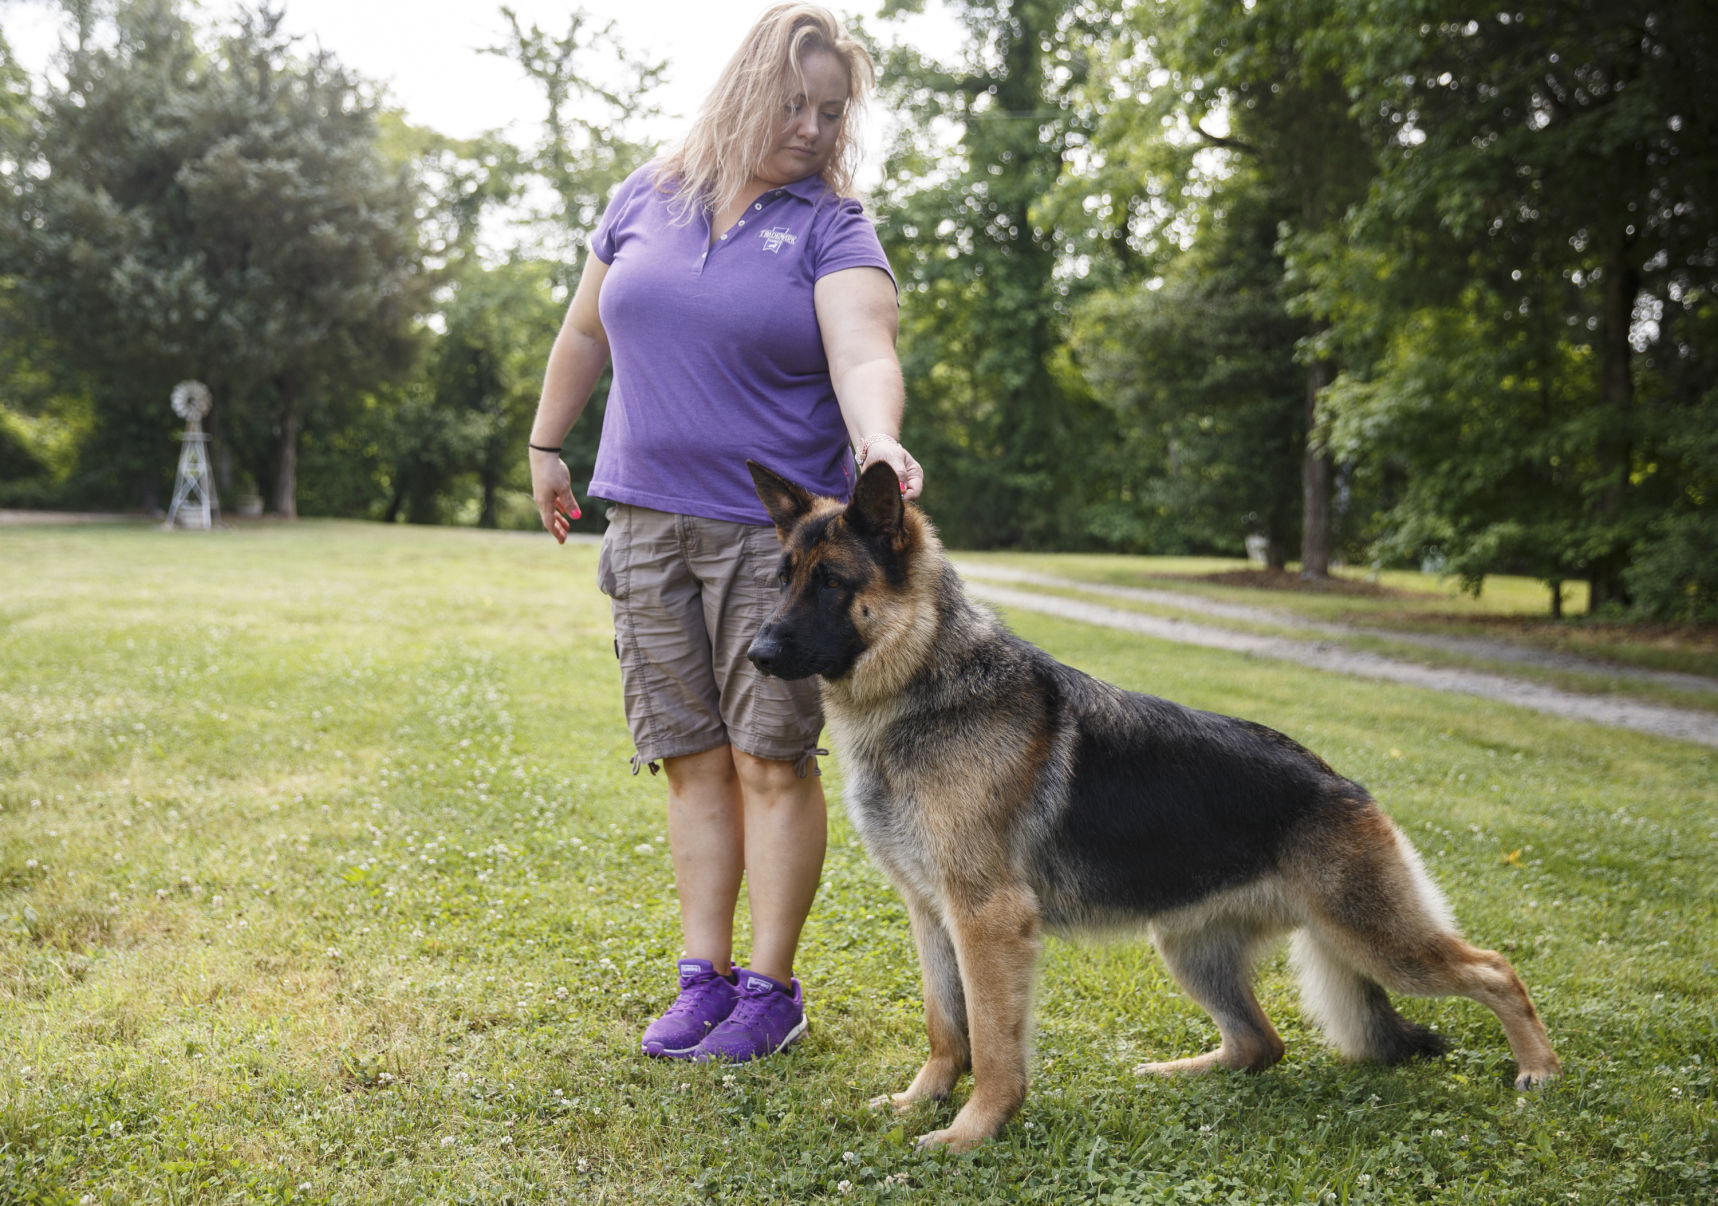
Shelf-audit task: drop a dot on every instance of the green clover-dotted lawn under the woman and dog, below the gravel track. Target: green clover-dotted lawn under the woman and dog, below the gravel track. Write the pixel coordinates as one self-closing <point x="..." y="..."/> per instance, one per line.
<point x="324" y="880"/>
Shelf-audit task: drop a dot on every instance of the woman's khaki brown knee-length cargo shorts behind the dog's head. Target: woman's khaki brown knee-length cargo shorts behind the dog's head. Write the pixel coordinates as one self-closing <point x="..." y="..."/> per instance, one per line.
<point x="688" y="597"/>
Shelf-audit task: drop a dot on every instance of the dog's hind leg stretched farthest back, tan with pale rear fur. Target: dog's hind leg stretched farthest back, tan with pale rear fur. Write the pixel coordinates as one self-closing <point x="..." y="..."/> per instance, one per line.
<point x="1377" y="911"/>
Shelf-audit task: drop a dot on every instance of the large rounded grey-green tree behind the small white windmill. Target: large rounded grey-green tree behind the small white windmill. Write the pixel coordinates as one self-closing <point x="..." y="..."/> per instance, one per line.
<point x="222" y="216"/>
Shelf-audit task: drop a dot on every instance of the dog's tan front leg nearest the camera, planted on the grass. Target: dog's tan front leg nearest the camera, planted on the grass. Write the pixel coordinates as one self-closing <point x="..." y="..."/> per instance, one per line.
<point x="997" y="947"/>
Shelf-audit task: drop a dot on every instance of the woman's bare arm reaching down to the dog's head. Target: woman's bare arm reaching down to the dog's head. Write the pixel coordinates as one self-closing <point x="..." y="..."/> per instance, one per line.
<point x="860" y="317"/>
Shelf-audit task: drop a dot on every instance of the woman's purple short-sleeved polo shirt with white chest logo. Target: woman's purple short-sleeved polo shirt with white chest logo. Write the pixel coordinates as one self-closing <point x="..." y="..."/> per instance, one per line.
<point x="717" y="350"/>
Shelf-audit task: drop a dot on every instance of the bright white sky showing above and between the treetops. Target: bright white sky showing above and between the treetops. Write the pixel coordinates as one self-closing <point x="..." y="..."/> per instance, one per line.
<point x="427" y="51"/>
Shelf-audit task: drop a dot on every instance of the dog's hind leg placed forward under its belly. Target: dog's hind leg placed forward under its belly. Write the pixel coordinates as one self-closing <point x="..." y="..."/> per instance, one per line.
<point x="1214" y="963"/>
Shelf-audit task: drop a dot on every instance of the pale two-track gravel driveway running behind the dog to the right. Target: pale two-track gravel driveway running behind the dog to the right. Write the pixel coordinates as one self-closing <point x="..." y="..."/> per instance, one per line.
<point x="989" y="583"/>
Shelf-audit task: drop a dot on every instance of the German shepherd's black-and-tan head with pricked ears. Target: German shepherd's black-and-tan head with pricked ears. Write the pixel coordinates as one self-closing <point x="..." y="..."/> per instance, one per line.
<point x="843" y="569"/>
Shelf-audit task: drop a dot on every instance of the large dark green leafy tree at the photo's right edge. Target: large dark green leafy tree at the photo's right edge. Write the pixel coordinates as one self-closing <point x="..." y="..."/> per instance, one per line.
<point x="1532" y="279"/>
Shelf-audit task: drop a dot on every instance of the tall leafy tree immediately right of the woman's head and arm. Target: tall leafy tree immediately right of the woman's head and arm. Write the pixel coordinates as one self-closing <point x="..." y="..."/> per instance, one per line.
<point x="989" y="271"/>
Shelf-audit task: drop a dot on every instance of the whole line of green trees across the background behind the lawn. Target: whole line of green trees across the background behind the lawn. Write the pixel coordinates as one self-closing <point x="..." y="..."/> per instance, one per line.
<point x="1377" y="281"/>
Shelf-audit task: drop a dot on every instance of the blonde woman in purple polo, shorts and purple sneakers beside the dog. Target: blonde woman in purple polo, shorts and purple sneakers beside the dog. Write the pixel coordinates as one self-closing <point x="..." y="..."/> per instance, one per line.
<point x="750" y="312"/>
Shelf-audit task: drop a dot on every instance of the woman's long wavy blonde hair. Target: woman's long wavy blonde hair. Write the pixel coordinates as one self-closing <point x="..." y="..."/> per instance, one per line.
<point x="741" y="119"/>
